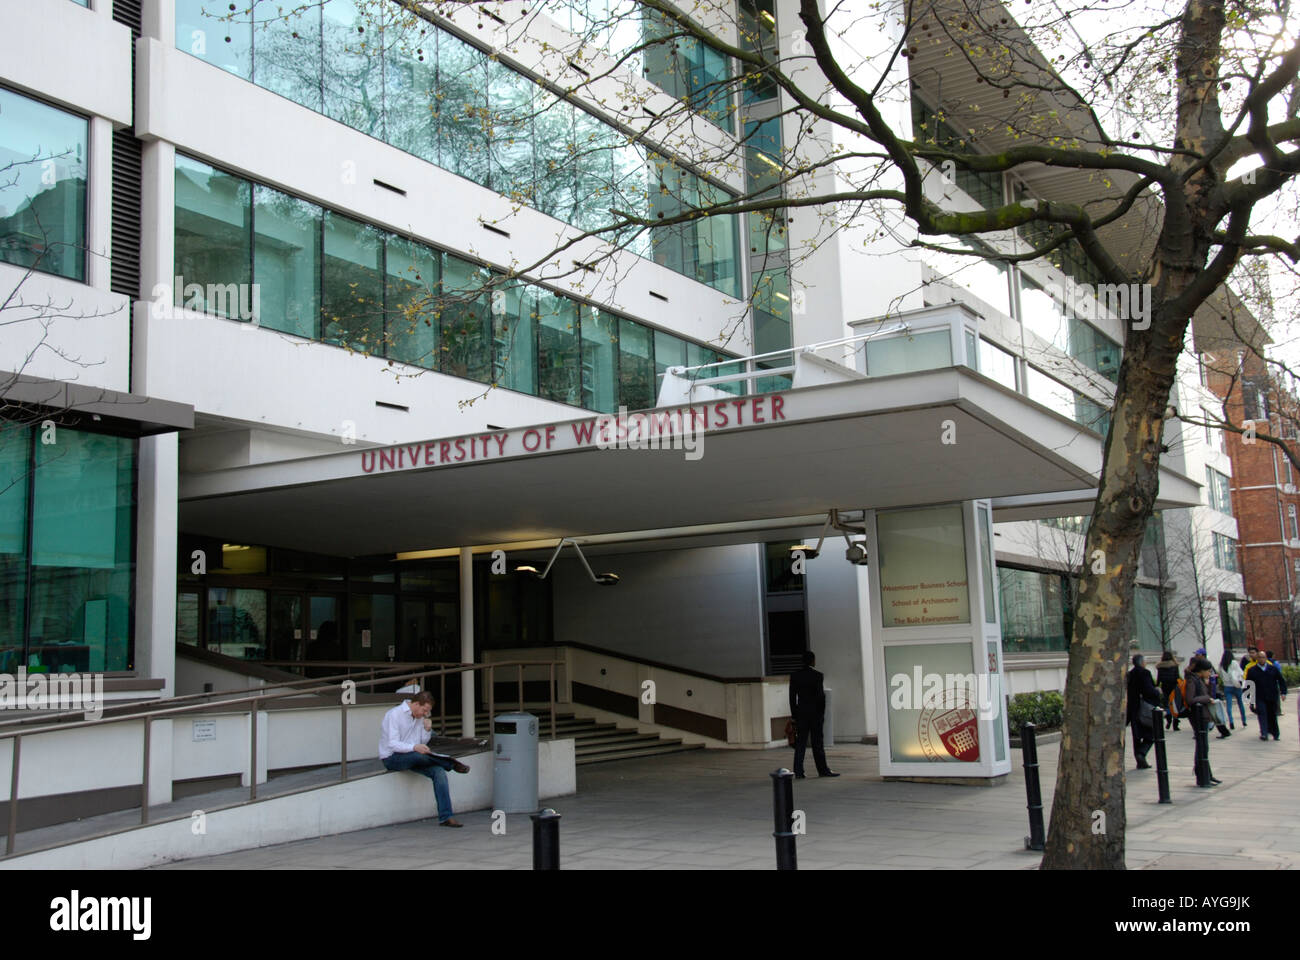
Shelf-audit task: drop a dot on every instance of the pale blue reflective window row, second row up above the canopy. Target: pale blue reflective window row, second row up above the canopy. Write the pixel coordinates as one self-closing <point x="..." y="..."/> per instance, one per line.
<point x="398" y="79"/>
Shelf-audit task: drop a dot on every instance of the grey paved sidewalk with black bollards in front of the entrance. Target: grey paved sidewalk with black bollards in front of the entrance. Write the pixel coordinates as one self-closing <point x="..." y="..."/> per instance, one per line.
<point x="713" y="810"/>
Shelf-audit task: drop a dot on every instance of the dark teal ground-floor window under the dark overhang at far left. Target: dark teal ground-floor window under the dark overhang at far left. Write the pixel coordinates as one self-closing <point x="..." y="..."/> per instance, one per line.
<point x="67" y="550"/>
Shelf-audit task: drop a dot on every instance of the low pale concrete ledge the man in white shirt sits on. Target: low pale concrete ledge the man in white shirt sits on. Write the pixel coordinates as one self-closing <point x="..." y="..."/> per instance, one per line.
<point x="367" y="802"/>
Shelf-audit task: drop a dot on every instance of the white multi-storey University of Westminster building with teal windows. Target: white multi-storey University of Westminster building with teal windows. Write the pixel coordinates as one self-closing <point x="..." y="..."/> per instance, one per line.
<point x="240" y="227"/>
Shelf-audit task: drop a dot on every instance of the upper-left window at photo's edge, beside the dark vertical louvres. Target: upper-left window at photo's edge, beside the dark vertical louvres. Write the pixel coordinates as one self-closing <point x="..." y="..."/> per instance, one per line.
<point x="44" y="158"/>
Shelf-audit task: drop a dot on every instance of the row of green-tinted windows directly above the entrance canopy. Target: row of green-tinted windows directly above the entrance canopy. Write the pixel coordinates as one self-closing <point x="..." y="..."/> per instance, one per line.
<point x="250" y="253"/>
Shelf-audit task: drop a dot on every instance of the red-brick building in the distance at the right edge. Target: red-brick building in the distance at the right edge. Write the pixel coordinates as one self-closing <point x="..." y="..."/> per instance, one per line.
<point x="1264" y="495"/>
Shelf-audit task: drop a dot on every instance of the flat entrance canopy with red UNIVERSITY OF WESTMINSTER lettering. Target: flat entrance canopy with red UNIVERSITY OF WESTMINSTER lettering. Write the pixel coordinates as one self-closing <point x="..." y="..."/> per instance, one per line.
<point x="915" y="439"/>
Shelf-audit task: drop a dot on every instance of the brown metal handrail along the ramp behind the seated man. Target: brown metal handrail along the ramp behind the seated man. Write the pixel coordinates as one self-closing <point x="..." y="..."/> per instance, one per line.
<point x="254" y="702"/>
